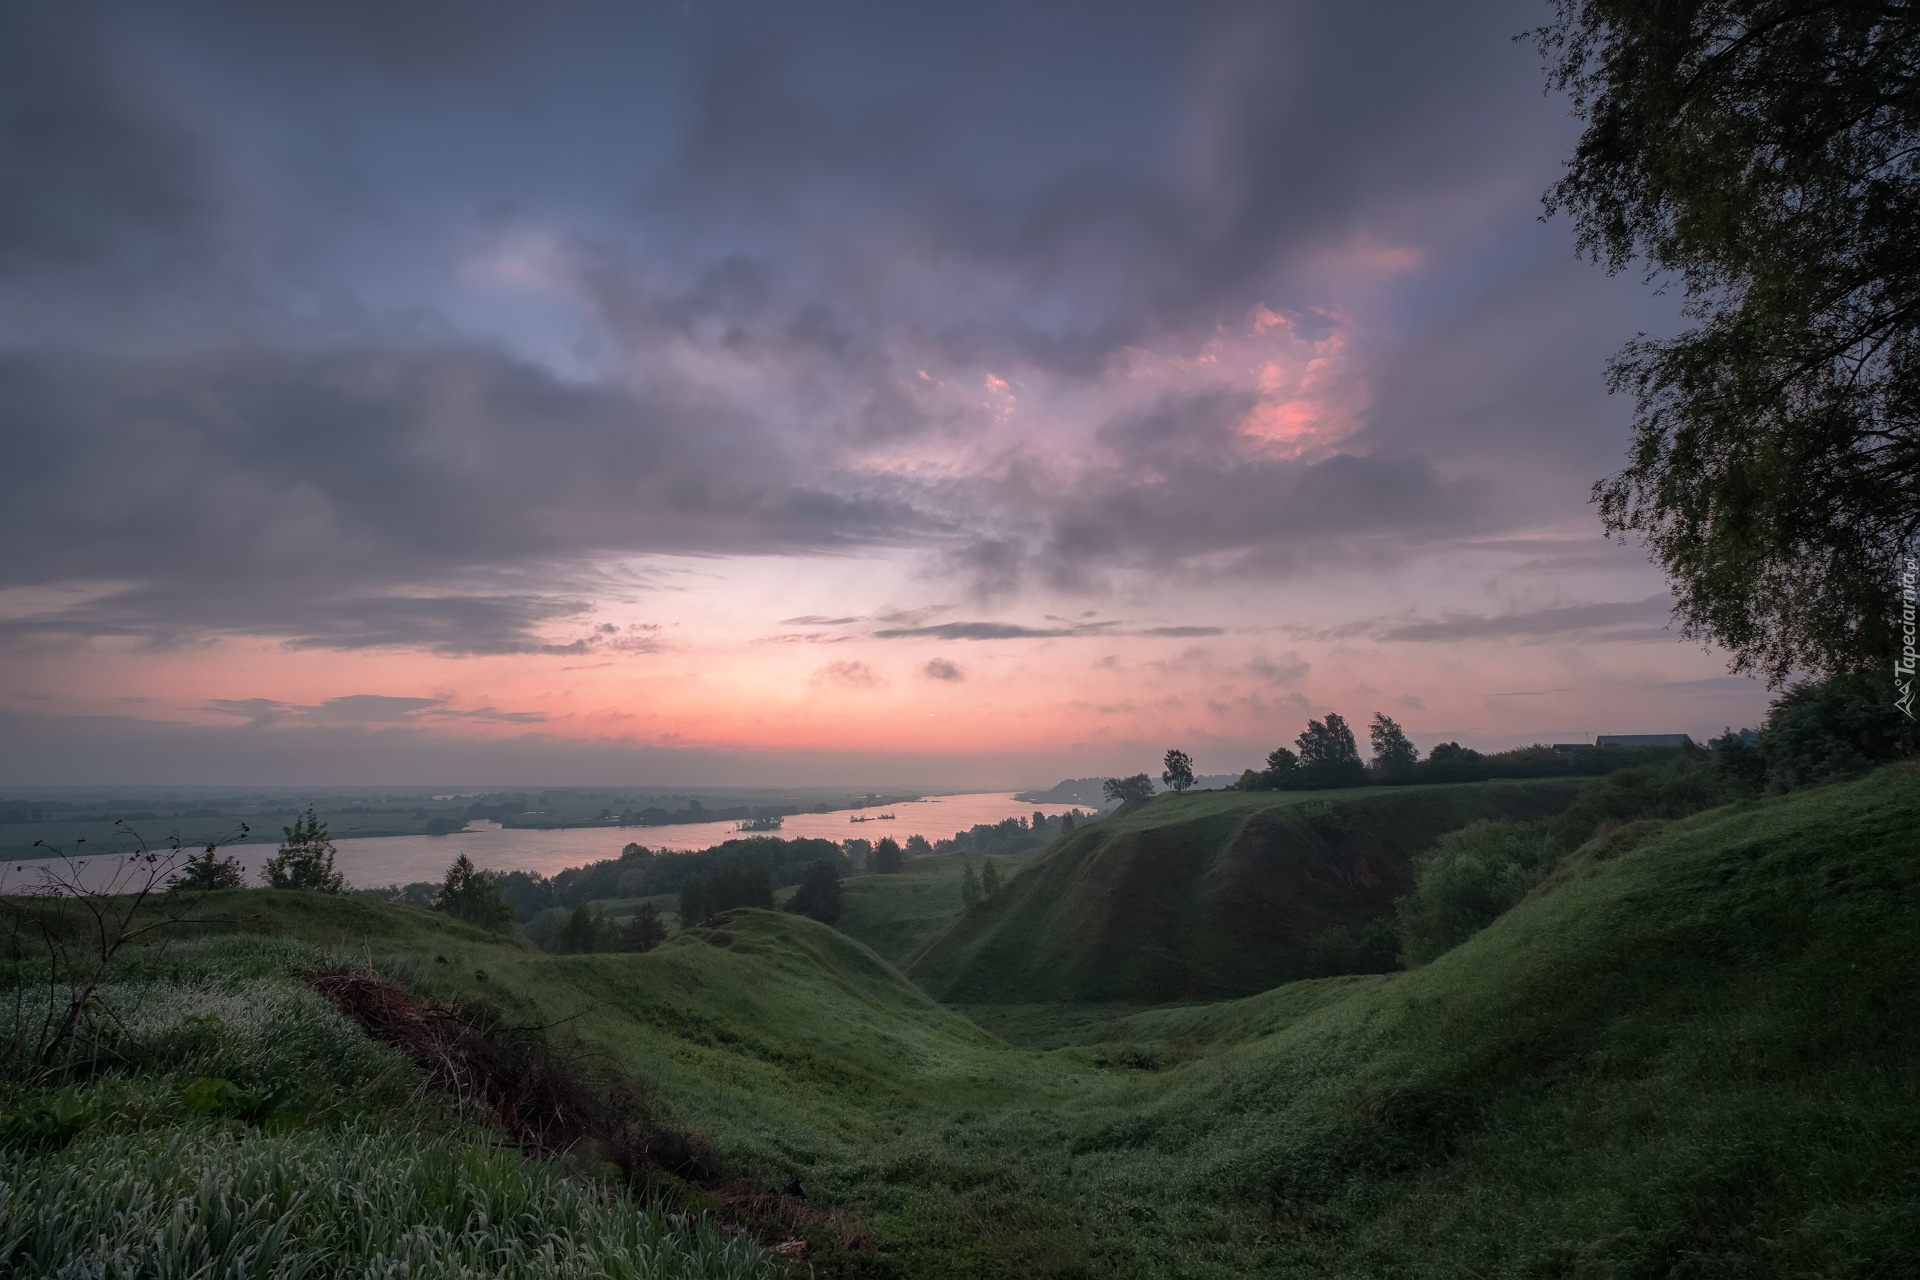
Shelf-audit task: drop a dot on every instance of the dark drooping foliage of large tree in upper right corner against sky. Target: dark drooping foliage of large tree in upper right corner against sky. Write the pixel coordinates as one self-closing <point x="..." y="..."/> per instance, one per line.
<point x="1764" y="156"/>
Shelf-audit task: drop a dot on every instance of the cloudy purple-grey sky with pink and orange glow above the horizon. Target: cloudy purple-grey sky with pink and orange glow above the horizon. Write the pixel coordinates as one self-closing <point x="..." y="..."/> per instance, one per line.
<point x="802" y="394"/>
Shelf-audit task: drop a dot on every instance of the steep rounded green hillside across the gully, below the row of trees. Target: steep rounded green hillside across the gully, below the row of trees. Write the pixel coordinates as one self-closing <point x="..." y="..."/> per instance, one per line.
<point x="1205" y="897"/>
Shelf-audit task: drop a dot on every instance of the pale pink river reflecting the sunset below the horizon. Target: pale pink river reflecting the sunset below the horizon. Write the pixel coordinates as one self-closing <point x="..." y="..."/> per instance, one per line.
<point x="406" y="859"/>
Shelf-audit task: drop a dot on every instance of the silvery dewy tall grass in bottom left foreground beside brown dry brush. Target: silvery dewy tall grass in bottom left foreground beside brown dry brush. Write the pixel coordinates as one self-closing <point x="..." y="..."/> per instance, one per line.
<point x="137" y="1162"/>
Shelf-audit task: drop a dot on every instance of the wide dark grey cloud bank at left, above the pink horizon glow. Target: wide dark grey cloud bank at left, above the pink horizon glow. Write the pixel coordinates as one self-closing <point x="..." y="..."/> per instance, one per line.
<point x="312" y="494"/>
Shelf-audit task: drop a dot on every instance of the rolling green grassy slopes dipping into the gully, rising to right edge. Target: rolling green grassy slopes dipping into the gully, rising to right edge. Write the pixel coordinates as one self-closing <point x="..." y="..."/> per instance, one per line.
<point x="1687" y="1055"/>
